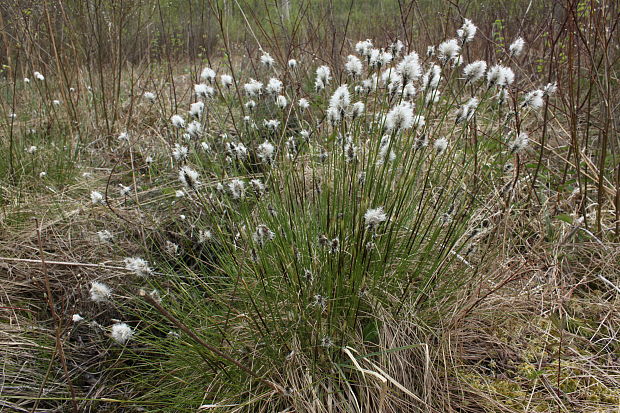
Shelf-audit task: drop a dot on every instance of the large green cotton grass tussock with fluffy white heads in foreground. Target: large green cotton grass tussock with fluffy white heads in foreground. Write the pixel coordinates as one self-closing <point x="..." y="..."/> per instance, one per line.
<point x="331" y="209"/>
